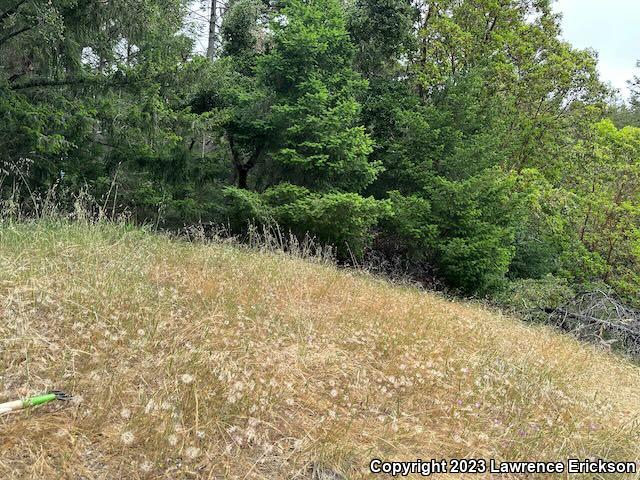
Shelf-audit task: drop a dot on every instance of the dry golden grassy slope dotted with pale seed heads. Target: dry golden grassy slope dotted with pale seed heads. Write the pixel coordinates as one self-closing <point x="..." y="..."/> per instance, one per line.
<point x="206" y="360"/>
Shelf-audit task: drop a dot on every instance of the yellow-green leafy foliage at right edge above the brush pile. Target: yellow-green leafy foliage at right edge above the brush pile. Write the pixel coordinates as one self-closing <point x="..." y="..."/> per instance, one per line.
<point x="606" y="185"/>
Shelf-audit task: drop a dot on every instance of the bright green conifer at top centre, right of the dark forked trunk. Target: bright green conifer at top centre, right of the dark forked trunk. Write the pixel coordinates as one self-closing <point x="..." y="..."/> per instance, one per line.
<point x="315" y="113"/>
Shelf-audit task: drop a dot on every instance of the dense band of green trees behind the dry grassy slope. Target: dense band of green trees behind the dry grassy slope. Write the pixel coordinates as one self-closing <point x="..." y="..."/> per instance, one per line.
<point x="463" y="137"/>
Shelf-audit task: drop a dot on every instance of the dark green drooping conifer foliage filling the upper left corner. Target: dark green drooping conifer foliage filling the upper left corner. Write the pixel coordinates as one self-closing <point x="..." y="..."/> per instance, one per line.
<point x="99" y="80"/>
